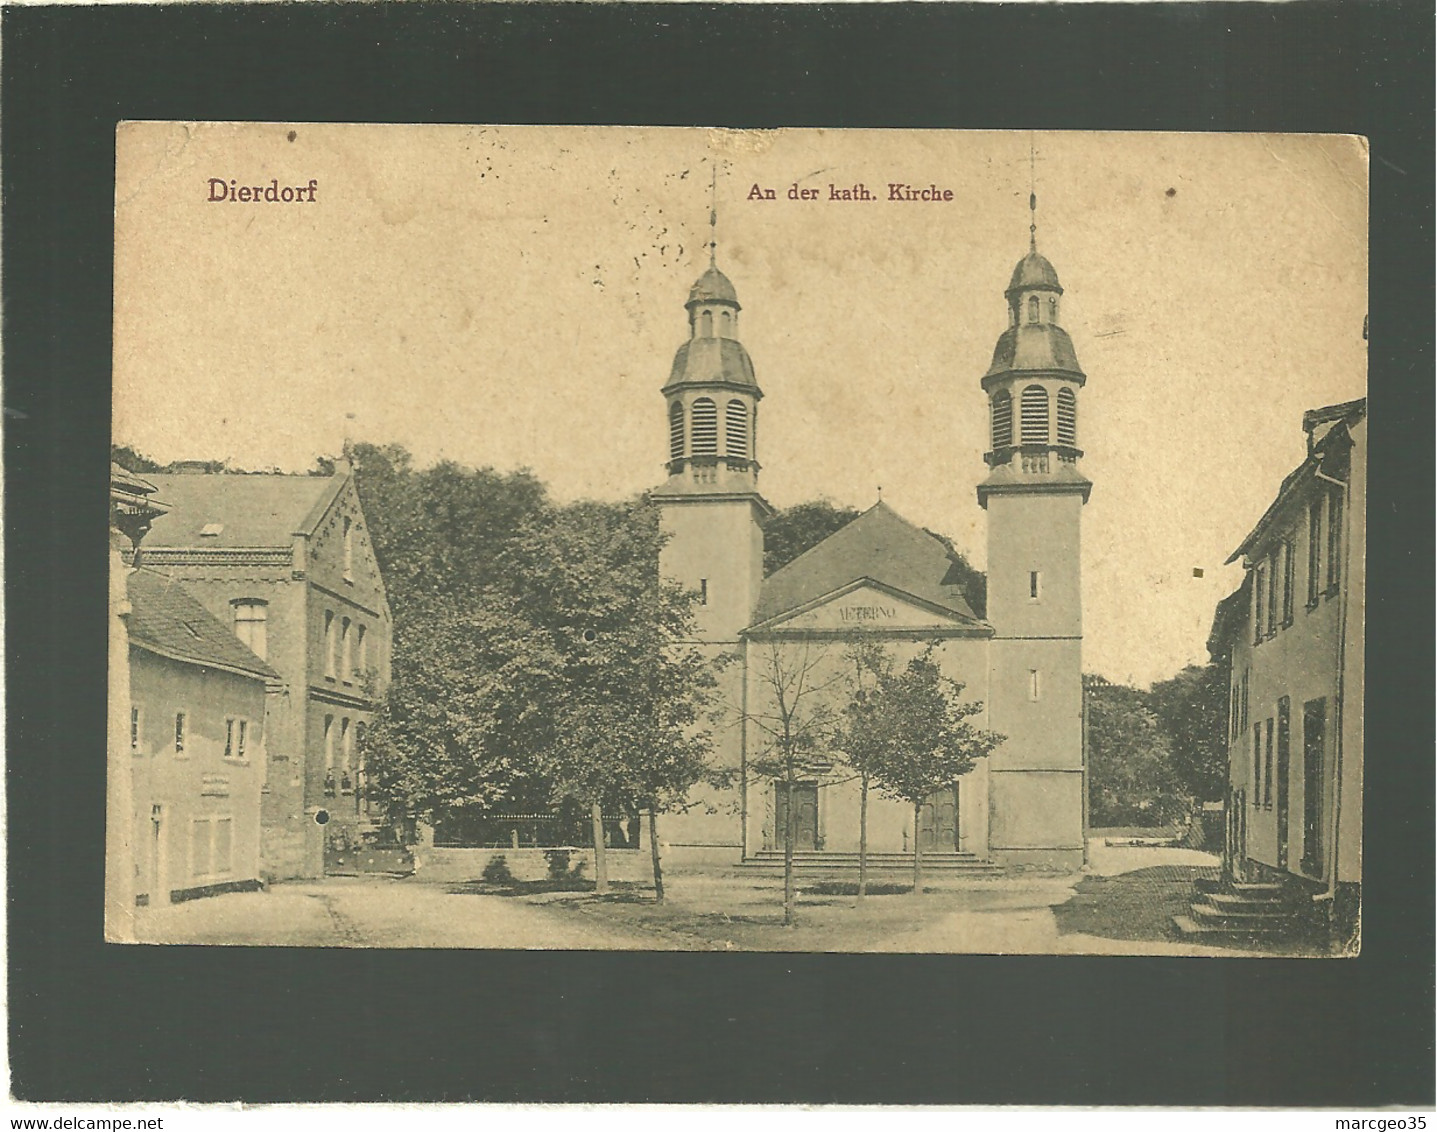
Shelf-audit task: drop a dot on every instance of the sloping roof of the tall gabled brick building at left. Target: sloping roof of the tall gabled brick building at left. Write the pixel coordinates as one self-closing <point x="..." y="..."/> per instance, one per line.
<point x="241" y="511"/>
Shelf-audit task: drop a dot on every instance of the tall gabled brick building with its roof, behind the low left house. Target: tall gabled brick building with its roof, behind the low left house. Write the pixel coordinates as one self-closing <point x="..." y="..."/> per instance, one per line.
<point x="287" y="562"/>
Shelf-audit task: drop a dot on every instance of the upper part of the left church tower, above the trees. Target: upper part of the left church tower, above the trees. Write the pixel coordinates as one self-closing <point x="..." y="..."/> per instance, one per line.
<point x="711" y="502"/>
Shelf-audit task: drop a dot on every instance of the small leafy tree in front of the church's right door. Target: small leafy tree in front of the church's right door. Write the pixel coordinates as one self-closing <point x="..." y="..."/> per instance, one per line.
<point x="919" y="739"/>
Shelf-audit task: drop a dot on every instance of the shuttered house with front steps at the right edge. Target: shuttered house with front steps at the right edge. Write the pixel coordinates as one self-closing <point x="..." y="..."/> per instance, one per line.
<point x="1293" y="637"/>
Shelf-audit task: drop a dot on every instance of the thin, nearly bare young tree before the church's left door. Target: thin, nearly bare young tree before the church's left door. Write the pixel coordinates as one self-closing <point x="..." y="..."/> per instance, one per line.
<point x="797" y="723"/>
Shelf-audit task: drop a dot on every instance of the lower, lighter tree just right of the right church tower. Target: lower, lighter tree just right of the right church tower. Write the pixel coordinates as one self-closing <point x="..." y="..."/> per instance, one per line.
<point x="1130" y="765"/>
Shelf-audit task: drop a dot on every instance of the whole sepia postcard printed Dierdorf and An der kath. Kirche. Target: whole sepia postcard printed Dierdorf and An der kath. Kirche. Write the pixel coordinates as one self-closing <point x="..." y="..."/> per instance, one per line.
<point x="782" y="541"/>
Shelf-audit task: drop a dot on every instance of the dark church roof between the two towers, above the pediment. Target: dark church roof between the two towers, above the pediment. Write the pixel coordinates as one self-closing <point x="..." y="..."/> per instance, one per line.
<point x="882" y="547"/>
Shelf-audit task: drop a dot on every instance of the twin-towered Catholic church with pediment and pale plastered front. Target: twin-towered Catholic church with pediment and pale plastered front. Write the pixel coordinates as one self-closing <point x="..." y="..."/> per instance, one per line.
<point x="893" y="583"/>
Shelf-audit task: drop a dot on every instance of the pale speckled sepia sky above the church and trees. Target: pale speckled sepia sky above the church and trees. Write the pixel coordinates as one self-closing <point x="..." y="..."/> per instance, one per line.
<point x="512" y="297"/>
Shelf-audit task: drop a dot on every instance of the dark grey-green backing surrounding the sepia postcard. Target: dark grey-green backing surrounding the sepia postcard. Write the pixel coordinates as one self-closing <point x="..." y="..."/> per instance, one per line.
<point x="91" y="1022"/>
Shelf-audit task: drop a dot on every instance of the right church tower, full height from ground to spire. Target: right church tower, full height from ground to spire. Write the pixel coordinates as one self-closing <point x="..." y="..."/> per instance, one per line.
<point x="1034" y="496"/>
